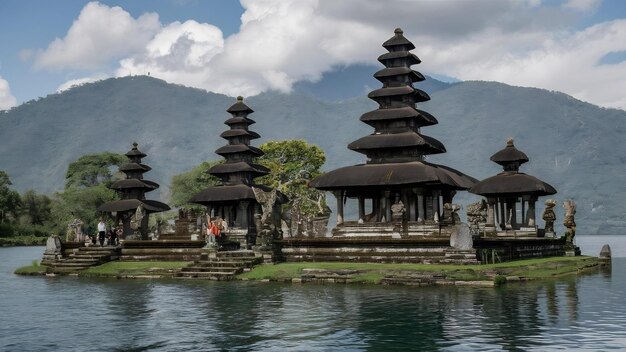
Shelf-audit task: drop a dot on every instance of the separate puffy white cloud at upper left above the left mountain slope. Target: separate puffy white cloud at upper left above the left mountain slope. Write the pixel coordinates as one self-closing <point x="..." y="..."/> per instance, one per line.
<point x="99" y="34"/>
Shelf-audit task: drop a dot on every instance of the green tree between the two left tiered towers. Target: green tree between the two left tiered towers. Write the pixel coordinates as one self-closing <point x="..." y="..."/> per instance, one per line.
<point x="187" y="184"/>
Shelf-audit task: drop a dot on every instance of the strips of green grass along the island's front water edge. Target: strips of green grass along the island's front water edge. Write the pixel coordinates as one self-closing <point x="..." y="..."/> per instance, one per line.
<point x="369" y="273"/>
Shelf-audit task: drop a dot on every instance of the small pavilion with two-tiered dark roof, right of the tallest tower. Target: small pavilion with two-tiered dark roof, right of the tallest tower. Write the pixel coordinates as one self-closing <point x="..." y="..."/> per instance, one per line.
<point x="511" y="195"/>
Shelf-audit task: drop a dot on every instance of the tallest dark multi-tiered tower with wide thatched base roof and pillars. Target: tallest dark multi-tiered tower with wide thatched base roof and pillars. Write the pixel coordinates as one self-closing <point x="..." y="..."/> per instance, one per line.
<point x="396" y="188"/>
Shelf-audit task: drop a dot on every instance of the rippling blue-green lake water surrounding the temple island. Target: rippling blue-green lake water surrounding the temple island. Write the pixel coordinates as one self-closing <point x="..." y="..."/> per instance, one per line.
<point x="78" y="314"/>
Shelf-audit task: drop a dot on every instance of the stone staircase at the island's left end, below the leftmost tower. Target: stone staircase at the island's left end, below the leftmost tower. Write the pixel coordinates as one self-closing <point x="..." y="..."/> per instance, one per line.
<point x="82" y="258"/>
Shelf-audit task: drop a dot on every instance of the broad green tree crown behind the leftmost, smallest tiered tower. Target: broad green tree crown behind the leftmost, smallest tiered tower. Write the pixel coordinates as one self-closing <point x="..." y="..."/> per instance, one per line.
<point x="94" y="169"/>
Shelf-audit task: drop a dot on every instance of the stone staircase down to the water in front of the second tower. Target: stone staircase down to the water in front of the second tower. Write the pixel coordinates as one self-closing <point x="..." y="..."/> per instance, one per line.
<point x="224" y="266"/>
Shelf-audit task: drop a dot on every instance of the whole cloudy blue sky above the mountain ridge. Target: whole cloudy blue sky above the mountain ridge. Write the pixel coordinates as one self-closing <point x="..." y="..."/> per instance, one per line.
<point x="248" y="47"/>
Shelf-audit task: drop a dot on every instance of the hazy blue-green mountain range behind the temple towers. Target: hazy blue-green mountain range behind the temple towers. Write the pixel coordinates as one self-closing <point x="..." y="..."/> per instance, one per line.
<point x="575" y="146"/>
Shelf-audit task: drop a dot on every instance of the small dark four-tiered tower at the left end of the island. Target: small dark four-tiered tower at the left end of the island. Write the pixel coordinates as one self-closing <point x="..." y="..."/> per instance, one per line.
<point x="132" y="191"/>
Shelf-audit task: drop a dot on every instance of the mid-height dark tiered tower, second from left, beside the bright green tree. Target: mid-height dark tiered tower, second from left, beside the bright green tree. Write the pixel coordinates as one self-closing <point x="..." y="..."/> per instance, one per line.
<point x="234" y="200"/>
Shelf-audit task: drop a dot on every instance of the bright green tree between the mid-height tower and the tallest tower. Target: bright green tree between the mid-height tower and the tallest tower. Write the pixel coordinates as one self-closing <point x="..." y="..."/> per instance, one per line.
<point x="292" y="164"/>
